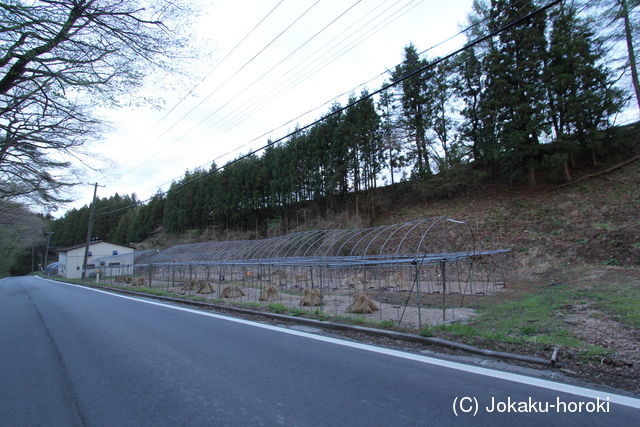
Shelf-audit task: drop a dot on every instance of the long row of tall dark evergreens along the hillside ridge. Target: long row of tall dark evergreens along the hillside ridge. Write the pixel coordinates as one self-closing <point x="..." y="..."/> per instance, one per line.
<point x="537" y="101"/>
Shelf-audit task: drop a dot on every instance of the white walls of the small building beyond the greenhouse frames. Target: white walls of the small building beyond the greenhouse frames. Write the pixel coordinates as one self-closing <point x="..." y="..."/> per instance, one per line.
<point x="71" y="260"/>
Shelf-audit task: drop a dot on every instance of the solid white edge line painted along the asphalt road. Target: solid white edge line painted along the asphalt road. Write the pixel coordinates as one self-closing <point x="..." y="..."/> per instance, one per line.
<point x="516" y="378"/>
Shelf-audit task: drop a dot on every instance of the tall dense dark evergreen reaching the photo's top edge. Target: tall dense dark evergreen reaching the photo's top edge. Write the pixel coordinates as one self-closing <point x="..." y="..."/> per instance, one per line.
<point x="515" y="90"/>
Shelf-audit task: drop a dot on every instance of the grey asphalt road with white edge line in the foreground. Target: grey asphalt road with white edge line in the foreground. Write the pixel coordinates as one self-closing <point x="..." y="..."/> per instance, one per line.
<point x="75" y="356"/>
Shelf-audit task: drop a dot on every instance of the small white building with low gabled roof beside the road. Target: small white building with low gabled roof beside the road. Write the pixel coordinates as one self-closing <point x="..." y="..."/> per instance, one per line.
<point x="72" y="258"/>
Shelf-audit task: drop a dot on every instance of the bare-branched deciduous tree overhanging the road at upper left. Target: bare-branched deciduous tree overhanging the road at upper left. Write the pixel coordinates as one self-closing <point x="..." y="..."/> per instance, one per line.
<point x="59" y="59"/>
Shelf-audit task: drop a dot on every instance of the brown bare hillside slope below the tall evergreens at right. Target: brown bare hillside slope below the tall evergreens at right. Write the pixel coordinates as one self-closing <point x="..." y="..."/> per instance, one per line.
<point x="595" y="221"/>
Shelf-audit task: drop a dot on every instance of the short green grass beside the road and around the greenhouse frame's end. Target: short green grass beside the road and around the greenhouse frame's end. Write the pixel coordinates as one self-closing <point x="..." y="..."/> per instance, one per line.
<point x="537" y="317"/>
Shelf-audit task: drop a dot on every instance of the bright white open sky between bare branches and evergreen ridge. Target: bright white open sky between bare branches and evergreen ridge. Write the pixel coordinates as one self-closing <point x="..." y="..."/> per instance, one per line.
<point x="273" y="64"/>
